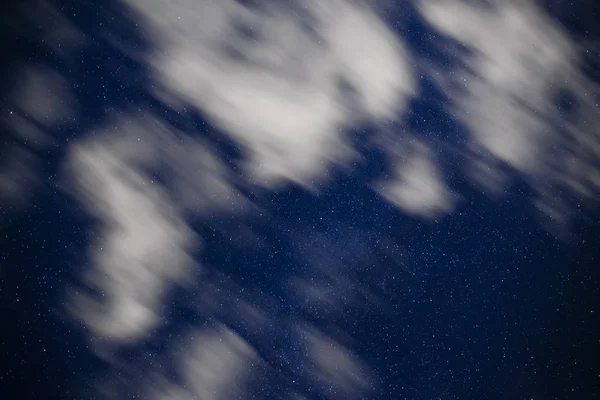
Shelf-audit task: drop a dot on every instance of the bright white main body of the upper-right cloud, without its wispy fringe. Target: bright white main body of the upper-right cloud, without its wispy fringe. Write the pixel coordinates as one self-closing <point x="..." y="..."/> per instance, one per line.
<point x="516" y="59"/>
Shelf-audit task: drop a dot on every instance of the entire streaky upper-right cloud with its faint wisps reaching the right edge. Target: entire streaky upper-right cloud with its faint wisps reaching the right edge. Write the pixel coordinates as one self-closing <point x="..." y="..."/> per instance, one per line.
<point x="508" y="96"/>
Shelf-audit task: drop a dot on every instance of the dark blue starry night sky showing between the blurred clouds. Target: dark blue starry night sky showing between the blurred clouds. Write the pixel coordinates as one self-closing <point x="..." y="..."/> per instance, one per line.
<point x="487" y="302"/>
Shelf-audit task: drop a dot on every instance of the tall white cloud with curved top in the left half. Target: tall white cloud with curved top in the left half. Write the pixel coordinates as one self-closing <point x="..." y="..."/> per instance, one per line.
<point x="143" y="243"/>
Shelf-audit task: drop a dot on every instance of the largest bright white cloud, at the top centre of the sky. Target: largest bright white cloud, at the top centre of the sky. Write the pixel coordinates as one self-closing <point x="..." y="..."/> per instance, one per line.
<point x="276" y="91"/>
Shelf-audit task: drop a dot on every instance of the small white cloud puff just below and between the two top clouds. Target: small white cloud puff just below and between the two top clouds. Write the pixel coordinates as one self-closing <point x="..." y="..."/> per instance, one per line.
<point x="417" y="186"/>
